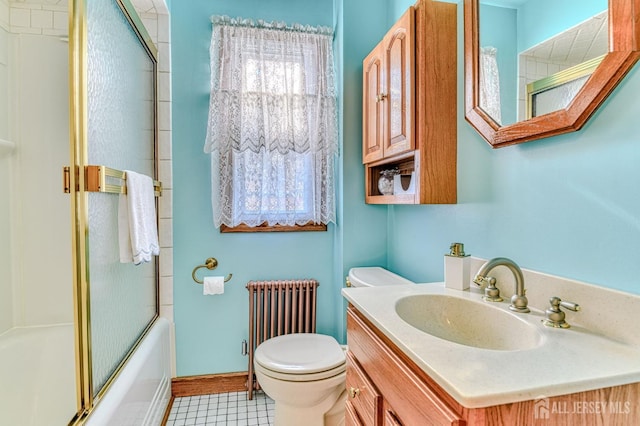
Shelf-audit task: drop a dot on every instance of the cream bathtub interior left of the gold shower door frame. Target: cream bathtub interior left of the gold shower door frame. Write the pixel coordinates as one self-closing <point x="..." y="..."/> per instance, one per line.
<point x="37" y="376"/>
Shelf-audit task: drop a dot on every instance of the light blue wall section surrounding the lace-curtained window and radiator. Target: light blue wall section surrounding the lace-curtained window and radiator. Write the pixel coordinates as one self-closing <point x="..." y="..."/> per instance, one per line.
<point x="209" y="329"/>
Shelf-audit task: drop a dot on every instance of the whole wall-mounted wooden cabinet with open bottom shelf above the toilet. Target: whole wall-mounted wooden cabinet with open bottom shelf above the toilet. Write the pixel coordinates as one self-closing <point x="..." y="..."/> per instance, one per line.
<point x="409" y="107"/>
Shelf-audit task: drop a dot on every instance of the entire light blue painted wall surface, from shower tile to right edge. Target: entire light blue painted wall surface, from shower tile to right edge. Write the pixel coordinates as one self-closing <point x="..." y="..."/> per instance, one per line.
<point x="566" y="205"/>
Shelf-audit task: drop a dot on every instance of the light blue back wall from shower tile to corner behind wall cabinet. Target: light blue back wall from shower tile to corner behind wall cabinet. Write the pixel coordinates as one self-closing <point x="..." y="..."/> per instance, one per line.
<point x="209" y="330"/>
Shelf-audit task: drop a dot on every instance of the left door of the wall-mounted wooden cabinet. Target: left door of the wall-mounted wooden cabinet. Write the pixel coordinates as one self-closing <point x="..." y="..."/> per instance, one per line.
<point x="372" y="106"/>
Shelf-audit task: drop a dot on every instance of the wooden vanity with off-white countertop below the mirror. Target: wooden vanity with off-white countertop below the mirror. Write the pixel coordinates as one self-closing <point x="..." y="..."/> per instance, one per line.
<point x="398" y="374"/>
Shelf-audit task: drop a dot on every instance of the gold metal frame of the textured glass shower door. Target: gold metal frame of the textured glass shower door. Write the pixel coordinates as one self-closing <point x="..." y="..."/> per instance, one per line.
<point x="78" y="120"/>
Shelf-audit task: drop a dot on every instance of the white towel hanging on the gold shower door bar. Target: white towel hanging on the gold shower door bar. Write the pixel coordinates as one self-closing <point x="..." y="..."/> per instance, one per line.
<point x="137" y="227"/>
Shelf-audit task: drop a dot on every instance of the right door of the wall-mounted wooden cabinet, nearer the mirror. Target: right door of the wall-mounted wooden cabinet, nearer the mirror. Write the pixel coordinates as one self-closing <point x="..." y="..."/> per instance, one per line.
<point x="399" y="98"/>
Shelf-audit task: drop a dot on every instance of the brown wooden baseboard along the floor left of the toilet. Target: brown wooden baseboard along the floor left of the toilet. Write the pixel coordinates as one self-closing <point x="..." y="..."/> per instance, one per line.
<point x="209" y="383"/>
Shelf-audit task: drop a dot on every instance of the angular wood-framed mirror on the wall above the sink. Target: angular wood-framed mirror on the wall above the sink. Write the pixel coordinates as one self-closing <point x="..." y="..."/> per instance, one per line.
<point x="538" y="68"/>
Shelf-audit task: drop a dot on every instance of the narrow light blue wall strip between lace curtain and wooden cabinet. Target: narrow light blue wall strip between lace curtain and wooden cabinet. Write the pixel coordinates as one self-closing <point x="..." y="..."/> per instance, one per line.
<point x="364" y="230"/>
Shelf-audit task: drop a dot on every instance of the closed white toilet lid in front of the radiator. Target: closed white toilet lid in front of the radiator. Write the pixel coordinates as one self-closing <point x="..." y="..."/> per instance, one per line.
<point x="300" y="353"/>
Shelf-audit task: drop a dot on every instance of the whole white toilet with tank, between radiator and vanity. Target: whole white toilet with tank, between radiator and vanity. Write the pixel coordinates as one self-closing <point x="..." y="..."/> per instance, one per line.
<point x="305" y="373"/>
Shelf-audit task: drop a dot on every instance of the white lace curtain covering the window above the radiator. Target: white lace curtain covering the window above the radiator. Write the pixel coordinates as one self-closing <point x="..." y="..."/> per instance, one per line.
<point x="272" y="128"/>
